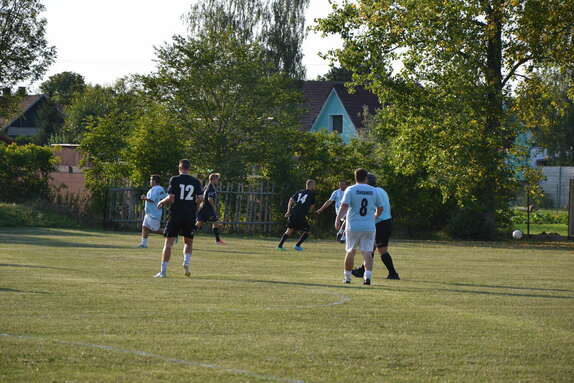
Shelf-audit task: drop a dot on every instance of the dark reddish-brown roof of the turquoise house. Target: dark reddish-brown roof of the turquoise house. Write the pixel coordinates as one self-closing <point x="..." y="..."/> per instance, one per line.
<point x="316" y="93"/>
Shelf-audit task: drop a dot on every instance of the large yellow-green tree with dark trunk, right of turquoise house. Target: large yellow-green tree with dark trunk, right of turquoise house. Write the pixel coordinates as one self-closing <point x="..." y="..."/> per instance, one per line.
<point x="445" y="108"/>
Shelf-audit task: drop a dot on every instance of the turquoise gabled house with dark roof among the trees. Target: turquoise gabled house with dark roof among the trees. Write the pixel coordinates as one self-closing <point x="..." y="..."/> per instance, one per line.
<point x="329" y="106"/>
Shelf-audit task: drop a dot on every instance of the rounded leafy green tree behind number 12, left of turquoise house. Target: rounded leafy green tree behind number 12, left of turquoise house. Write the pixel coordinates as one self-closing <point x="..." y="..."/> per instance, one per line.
<point x="221" y="92"/>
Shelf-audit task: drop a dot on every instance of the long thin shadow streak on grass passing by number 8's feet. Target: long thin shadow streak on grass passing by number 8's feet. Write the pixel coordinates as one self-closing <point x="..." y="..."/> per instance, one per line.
<point x="393" y="288"/>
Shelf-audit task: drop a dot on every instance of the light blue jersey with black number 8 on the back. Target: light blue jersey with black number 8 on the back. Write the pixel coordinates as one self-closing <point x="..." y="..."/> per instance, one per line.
<point x="363" y="201"/>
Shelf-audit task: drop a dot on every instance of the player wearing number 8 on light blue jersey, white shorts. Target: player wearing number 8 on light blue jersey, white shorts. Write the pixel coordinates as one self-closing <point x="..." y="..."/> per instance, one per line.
<point x="361" y="204"/>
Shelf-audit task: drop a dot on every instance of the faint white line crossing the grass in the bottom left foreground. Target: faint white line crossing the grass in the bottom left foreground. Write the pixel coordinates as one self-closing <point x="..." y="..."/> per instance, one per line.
<point x="163" y="358"/>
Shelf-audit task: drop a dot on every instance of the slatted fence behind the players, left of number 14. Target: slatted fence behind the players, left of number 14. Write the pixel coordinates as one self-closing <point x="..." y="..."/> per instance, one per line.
<point x="242" y="208"/>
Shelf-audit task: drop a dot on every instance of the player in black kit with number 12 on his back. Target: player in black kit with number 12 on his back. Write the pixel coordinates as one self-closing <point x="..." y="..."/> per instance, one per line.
<point x="184" y="193"/>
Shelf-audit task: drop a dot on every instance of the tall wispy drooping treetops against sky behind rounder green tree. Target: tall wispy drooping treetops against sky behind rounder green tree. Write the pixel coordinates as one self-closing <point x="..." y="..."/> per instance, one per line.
<point x="278" y="25"/>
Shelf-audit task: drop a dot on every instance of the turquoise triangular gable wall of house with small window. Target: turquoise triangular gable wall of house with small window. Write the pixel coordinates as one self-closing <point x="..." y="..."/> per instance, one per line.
<point x="331" y="111"/>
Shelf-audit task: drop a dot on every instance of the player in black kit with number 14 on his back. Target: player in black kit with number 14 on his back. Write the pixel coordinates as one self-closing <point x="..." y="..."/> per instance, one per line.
<point x="299" y="206"/>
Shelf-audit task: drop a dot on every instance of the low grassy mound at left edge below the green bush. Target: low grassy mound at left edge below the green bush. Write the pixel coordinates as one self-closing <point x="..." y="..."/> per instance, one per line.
<point x="32" y="214"/>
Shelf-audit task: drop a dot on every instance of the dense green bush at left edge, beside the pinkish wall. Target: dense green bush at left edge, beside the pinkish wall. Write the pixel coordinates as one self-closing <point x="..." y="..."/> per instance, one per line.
<point x="24" y="171"/>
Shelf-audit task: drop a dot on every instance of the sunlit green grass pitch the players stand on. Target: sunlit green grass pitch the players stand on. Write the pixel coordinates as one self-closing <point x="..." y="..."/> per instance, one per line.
<point x="463" y="312"/>
